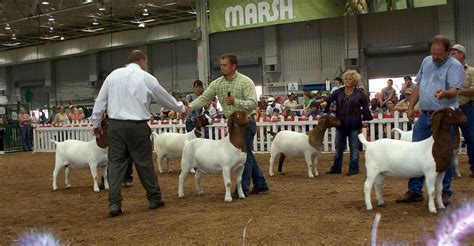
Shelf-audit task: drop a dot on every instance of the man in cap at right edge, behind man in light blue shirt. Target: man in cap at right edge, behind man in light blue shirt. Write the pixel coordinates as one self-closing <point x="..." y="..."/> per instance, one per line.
<point x="466" y="102"/>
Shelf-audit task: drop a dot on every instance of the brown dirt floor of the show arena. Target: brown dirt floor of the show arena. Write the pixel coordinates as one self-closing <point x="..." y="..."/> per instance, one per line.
<point x="326" y="210"/>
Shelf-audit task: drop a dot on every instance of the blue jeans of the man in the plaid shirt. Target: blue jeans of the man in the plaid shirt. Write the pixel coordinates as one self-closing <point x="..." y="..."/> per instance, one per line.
<point x="251" y="168"/>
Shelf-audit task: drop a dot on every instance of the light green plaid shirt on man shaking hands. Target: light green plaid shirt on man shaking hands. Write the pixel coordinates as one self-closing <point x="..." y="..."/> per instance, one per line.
<point x="240" y="87"/>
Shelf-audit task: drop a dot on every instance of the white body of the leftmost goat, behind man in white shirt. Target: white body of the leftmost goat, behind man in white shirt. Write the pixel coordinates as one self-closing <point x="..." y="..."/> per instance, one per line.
<point x="79" y="154"/>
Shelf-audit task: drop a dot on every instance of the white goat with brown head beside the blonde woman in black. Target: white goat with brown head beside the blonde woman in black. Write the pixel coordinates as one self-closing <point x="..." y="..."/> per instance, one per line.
<point x="296" y="144"/>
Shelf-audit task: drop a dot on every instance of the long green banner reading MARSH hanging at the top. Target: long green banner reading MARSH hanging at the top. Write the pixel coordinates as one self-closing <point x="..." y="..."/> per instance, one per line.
<point x="228" y="15"/>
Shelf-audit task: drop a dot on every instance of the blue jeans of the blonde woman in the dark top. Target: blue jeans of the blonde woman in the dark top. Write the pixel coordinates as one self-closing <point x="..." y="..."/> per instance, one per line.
<point x="341" y="136"/>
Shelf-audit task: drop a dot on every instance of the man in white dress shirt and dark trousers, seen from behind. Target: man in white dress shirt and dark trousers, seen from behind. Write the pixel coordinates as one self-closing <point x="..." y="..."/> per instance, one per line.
<point x="126" y="95"/>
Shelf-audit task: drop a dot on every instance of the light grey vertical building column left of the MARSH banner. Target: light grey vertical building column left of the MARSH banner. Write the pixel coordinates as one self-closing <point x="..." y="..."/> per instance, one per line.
<point x="201" y="35"/>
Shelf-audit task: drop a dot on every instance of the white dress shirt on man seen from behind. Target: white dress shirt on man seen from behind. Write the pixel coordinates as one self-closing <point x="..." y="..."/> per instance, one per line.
<point x="126" y="94"/>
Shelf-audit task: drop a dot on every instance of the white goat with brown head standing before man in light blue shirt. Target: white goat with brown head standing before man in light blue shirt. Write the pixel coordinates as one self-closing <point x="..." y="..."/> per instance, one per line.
<point x="430" y="157"/>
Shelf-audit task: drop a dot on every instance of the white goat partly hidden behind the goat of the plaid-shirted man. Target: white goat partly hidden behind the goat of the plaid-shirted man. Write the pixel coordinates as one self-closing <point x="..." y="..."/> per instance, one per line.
<point x="170" y="145"/>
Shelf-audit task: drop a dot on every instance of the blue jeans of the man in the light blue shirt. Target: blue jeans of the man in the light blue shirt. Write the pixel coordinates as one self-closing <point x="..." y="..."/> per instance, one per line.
<point x="422" y="131"/>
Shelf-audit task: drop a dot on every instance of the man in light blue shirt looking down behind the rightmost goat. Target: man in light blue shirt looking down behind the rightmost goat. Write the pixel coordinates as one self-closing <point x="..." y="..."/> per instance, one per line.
<point x="439" y="79"/>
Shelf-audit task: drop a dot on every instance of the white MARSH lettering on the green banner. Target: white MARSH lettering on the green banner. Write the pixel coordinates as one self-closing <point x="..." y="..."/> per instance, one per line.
<point x="258" y="13"/>
